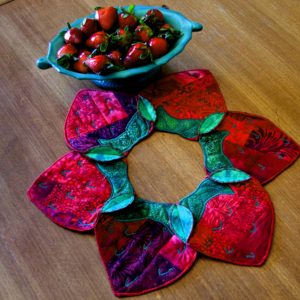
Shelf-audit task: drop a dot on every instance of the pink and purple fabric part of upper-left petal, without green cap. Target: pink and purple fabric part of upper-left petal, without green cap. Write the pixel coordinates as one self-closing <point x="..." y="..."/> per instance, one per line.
<point x="97" y="114"/>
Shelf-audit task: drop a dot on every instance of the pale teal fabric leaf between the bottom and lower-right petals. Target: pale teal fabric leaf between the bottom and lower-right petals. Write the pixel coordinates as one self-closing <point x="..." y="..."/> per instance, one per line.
<point x="181" y="220"/>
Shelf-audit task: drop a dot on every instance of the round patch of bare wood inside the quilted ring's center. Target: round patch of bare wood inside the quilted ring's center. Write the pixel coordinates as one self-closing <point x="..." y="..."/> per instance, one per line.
<point x="165" y="167"/>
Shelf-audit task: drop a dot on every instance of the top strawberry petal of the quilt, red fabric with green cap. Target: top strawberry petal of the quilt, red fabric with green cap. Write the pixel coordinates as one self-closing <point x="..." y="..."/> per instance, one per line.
<point x="185" y="98"/>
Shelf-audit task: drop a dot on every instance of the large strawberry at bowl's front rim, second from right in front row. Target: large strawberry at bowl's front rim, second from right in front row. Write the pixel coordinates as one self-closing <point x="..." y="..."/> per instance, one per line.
<point x="138" y="54"/>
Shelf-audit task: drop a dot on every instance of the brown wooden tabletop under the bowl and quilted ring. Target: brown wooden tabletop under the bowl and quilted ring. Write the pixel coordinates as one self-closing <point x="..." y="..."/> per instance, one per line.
<point x="252" y="47"/>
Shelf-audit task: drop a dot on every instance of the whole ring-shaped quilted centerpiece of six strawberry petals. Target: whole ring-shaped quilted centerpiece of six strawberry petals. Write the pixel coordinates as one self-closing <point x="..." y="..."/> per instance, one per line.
<point x="146" y="245"/>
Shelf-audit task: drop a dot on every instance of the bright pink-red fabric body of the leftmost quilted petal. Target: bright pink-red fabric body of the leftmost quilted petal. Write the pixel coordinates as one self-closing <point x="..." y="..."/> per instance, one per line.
<point x="71" y="192"/>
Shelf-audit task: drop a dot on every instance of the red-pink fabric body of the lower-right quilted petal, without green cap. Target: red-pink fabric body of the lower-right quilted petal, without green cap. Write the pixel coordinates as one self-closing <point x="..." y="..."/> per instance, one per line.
<point x="237" y="228"/>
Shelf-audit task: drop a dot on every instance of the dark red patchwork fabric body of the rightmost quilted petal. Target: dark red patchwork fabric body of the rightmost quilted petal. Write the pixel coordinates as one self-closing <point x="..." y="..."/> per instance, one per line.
<point x="256" y="146"/>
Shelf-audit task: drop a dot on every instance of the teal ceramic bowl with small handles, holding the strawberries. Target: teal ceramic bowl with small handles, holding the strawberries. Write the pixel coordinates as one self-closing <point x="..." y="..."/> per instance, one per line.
<point x="132" y="76"/>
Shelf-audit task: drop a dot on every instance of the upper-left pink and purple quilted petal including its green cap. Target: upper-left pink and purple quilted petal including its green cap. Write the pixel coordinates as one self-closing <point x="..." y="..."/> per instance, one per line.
<point x="105" y="119"/>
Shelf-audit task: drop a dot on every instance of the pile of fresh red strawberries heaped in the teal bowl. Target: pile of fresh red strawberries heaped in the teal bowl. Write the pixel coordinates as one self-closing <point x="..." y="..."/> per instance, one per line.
<point x="116" y="40"/>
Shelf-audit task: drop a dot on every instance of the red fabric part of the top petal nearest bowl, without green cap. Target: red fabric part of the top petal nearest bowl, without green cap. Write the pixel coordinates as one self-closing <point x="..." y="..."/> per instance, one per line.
<point x="192" y="94"/>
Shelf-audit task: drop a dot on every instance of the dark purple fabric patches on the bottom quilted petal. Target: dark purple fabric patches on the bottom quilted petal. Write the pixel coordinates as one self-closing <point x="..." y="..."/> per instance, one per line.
<point x="126" y="270"/>
